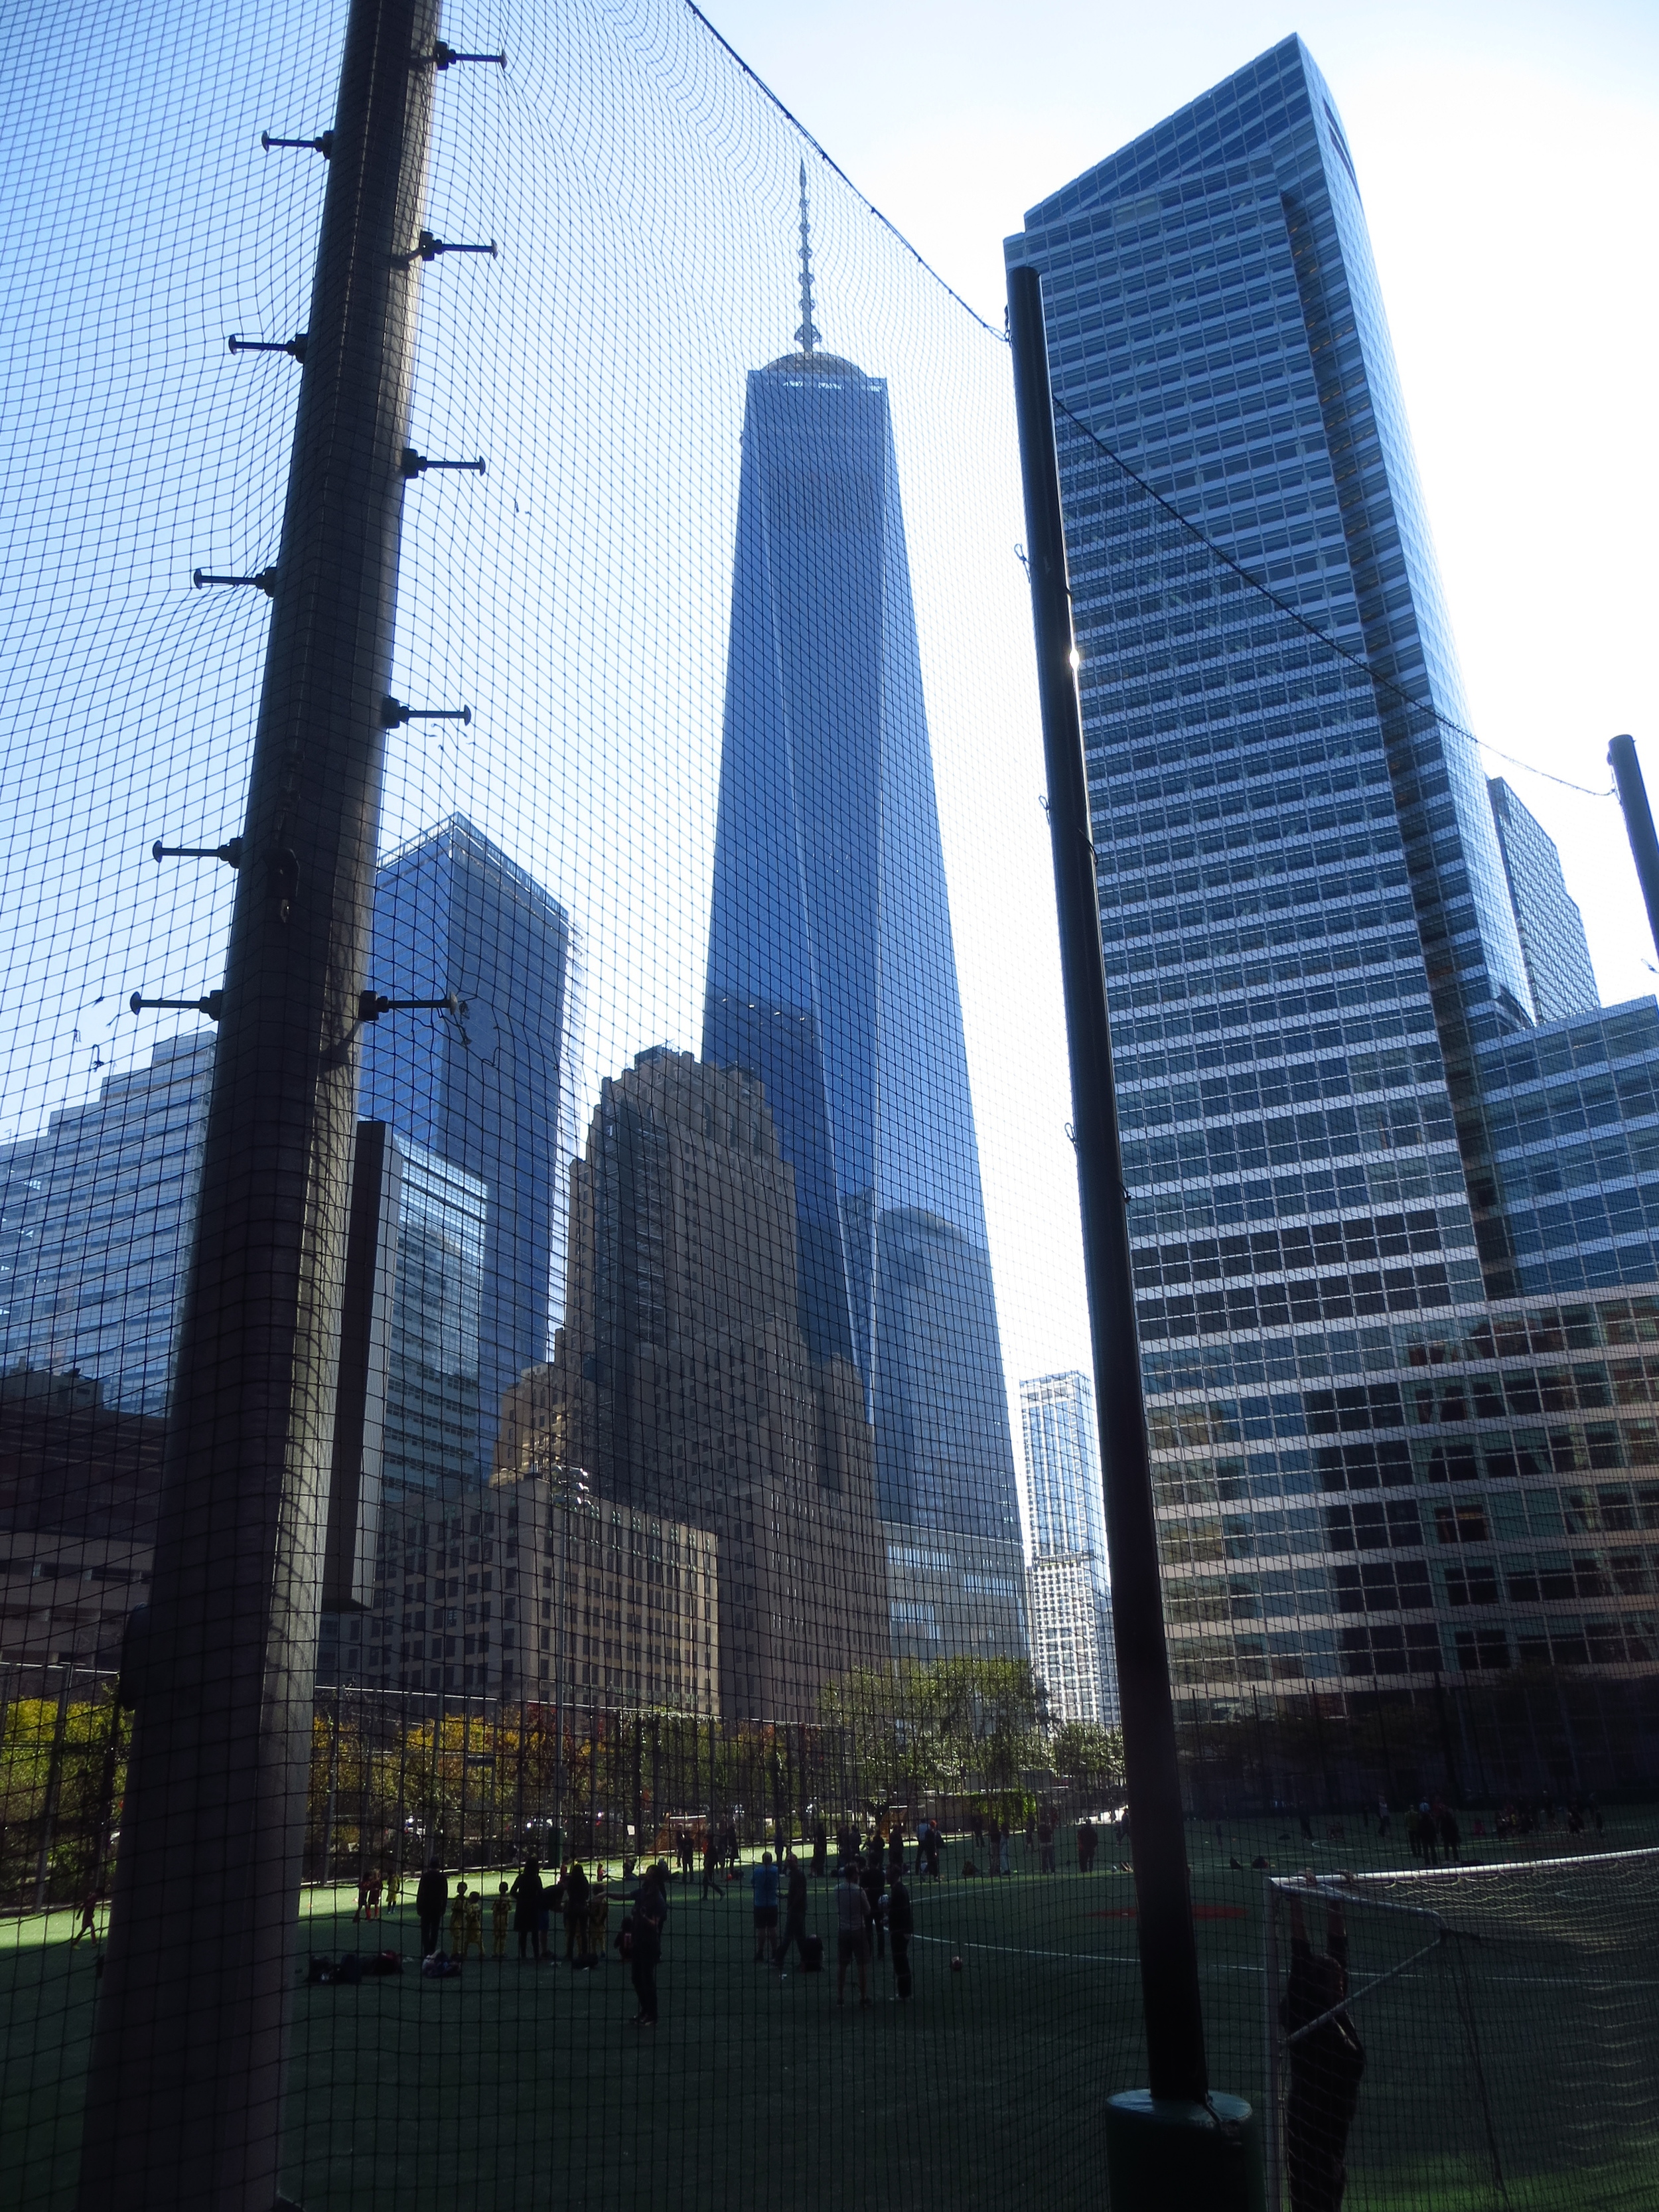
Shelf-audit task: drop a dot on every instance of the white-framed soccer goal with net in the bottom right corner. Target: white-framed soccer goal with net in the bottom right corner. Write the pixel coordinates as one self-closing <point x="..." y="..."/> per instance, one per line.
<point x="1465" y="2038"/>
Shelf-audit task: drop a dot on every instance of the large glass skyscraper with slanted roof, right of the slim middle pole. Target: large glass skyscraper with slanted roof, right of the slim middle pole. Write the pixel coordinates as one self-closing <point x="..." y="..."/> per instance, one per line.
<point x="1392" y="1200"/>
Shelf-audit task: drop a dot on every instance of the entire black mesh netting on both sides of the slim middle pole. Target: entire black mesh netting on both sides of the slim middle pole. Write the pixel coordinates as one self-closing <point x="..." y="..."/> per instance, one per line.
<point x="550" y="1496"/>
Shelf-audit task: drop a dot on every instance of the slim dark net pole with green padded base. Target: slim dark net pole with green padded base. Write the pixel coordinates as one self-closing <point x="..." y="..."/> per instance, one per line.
<point x="1173" y="2145"/>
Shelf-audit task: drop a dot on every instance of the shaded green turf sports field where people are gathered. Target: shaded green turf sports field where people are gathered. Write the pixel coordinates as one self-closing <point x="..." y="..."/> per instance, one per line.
<point x="528" y="2087"/>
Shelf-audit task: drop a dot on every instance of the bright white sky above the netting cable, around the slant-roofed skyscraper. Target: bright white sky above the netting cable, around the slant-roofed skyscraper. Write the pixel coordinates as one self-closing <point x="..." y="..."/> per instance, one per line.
<point x="1510" y="160"/>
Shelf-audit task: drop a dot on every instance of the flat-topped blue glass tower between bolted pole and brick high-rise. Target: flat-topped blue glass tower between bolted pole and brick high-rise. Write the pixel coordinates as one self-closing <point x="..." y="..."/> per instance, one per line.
<point x="483" y="1092"/>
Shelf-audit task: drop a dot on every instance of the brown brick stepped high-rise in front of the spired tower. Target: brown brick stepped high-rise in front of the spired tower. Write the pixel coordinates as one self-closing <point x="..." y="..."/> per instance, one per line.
<point x="685" y="1386"/>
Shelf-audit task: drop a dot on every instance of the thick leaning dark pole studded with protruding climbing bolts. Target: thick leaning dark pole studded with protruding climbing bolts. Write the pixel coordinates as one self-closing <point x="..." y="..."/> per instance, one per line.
<point x="185" y="2096"/>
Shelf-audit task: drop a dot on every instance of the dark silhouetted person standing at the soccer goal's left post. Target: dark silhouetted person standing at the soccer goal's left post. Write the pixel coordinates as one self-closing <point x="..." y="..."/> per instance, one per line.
<point x="1326" y="2065"/>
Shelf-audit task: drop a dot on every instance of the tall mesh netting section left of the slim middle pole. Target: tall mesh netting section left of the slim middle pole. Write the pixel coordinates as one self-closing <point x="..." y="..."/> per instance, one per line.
<point x="705" y="1202"/>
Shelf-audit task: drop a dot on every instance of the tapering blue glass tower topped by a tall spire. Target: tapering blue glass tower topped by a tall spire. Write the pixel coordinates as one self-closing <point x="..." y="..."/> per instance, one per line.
<point x="833" y="979"/>
